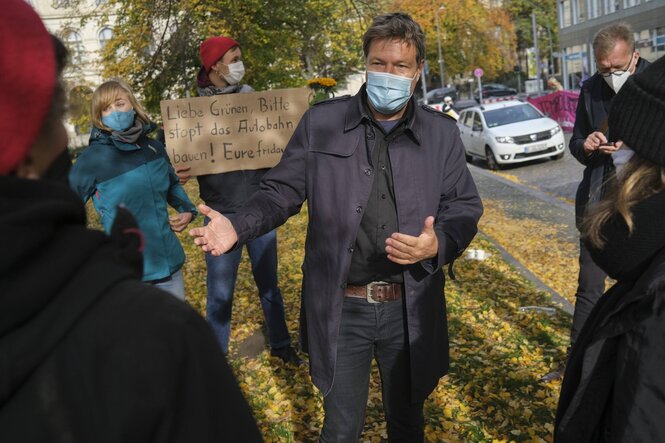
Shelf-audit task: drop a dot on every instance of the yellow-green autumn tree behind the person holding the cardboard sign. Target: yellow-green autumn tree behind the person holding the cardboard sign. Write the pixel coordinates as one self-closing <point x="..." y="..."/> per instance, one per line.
<point x="155" y="42"/>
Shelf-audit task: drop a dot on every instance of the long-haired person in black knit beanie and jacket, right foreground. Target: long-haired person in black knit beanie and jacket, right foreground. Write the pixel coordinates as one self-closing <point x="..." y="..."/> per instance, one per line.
<point x="613" y="389"/>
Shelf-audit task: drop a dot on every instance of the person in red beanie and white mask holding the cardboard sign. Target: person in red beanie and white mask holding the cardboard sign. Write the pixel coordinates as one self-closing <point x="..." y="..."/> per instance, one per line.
<point x="221" y="73"/>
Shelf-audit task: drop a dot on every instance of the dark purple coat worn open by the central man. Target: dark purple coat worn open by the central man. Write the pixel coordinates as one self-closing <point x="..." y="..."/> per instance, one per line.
<point x="326" y="163"/>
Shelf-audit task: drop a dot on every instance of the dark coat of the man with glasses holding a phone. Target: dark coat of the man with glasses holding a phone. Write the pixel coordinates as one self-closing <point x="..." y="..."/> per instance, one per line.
<point x="592" y="111"/>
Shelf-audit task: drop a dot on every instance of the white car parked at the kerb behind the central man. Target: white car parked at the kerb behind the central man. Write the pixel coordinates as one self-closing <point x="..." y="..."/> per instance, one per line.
<point x="509" y="132"/>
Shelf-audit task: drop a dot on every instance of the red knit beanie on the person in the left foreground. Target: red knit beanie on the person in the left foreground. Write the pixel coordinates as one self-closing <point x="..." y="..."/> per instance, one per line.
<point x="27" y="81"/>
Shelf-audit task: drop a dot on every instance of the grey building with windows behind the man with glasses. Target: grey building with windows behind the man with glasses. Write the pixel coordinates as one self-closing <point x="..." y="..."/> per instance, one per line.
<point x="579" y="20"/>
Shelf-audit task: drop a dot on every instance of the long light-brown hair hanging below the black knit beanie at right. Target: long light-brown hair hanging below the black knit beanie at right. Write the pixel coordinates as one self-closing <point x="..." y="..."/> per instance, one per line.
<point x="639" y="180"/>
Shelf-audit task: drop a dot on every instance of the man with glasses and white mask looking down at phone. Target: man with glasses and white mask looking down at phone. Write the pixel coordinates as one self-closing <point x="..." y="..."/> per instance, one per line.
<point x="593" y="146"/>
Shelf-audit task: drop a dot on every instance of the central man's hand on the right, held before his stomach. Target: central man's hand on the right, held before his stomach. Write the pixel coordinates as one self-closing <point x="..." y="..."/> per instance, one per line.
<point x="407" y="249"/>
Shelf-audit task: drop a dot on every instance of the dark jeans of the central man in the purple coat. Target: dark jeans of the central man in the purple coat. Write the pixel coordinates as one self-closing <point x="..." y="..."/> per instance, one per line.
<point x="369" y="331"/>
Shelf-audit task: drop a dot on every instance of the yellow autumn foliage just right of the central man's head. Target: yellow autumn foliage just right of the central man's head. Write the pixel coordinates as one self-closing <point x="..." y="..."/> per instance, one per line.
<point x="472" y="35"/>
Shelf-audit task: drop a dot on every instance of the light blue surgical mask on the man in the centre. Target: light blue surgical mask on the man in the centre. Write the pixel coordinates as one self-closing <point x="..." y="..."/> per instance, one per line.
<point x="388" y="93"/>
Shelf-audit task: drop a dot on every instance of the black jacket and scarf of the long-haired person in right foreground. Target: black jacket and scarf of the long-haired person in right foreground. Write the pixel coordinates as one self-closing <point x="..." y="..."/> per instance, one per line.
<point x="614" y="389"/>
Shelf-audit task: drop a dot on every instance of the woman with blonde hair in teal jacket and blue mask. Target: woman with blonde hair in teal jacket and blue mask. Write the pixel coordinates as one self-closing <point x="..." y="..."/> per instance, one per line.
<point x="123" y="166"/>
